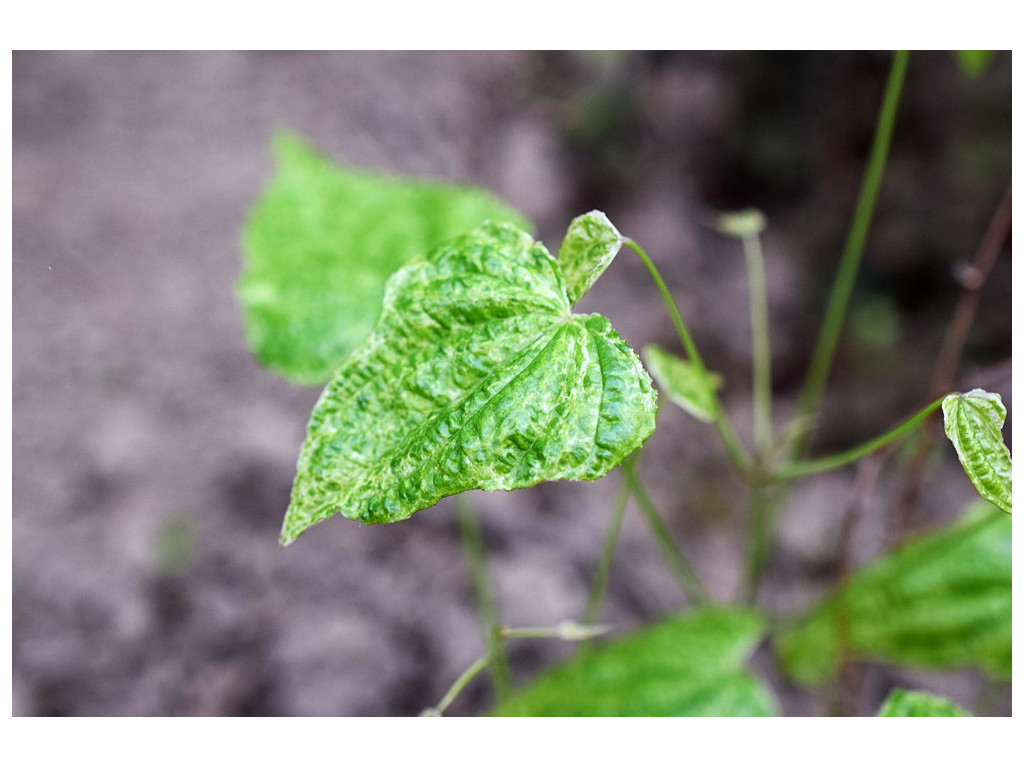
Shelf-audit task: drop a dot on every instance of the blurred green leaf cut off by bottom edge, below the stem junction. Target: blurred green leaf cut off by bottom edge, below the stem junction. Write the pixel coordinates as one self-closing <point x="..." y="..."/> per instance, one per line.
<point x="690" y="666"/>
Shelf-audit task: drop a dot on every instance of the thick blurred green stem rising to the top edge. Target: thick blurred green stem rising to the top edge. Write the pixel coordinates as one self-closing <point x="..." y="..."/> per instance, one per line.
<point x="839" y="302"/>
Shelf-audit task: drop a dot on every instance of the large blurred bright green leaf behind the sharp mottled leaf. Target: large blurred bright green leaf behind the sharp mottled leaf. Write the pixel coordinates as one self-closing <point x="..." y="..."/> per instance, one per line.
<point x="322" y="241"/>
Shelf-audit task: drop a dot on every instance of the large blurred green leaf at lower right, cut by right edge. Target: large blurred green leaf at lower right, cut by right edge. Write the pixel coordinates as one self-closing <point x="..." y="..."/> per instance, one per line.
<point x="942" y="603"/>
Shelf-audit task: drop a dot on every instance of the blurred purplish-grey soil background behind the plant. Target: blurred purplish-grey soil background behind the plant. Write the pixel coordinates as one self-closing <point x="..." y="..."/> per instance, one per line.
<point x="153" y="458"/>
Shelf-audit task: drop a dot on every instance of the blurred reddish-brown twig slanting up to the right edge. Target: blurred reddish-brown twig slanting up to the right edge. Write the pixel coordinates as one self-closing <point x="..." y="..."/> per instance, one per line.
<point x="945" y="373"/>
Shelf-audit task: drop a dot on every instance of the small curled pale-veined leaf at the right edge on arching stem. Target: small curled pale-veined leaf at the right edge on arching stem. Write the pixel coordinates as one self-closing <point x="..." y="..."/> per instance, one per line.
<point x="974" y="425"/>
